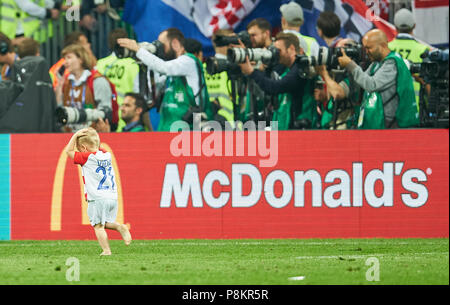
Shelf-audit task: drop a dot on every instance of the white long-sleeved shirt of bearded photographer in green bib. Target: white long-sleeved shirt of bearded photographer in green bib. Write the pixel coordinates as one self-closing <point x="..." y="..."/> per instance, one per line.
<point x="181" y="66"/>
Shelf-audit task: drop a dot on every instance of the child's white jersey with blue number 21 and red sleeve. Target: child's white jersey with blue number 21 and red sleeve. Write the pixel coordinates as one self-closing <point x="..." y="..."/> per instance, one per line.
<point x="98" y="174"/>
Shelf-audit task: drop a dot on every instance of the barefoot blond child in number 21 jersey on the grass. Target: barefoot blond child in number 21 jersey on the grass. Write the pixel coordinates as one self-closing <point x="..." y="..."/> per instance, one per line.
<point x="99" y="185"/>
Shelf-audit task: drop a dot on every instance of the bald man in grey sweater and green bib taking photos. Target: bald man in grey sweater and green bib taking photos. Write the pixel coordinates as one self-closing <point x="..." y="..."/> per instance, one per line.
<point x="388" y="100"/>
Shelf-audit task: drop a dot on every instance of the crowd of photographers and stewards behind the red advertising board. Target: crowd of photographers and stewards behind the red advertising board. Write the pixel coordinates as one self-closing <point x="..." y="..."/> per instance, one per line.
<point x="146" y="87"/>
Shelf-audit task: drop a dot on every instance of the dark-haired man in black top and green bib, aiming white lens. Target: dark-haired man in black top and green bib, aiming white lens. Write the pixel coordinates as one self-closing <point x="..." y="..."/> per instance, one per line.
<point x="290" y="87"/>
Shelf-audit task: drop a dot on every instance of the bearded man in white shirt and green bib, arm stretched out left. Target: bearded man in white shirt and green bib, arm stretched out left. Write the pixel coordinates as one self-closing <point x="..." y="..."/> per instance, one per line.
<point x="186" y="92"/>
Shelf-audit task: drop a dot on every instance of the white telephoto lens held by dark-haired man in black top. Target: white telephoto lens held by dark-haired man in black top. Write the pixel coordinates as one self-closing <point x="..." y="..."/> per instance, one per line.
<point x="270" y="56"/>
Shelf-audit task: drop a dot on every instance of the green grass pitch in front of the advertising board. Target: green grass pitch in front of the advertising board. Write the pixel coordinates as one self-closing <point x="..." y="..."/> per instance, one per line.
<point x="228" y="262"/>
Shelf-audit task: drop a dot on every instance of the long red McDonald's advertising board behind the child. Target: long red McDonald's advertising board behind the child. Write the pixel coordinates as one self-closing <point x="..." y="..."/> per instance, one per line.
<point x="294" y="184"/>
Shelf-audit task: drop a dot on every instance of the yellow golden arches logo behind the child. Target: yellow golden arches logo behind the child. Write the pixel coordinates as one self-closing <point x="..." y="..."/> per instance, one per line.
<point x="57" y="194"/>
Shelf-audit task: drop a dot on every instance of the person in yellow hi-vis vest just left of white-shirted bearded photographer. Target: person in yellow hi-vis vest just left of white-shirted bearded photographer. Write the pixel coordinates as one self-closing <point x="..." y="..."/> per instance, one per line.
<point x="122" y="72"/>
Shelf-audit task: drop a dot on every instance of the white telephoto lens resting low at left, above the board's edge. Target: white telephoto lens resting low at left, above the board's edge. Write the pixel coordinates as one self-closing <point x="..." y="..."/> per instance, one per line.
<point x="70" y="115"/>
